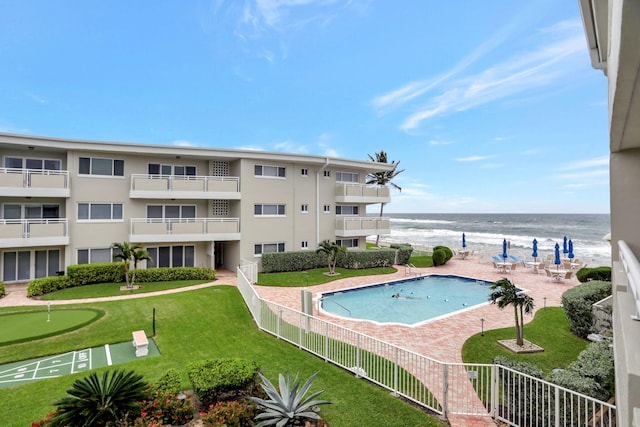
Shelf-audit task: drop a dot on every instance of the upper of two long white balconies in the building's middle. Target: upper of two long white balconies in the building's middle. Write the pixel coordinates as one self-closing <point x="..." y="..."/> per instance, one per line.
<point x="184" y="187"/>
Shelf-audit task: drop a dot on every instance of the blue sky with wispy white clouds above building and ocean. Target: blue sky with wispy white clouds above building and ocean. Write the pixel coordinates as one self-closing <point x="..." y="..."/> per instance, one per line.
<point x="490" y="106"/>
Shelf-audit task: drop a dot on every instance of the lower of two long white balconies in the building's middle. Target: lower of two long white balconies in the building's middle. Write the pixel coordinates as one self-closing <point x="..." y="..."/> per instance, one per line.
<point x="149" y="230"/>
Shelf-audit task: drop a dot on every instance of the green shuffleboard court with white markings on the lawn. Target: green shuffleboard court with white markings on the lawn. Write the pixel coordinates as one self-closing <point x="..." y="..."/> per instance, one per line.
<point x="25" y="371"/>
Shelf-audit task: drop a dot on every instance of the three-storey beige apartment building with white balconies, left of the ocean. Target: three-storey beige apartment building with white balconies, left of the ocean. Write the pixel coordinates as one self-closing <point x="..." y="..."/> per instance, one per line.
<point x="65" y="202"/>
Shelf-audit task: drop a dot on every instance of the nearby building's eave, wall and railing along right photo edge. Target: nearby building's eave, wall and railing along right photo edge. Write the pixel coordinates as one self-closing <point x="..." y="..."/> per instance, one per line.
<point x="612" y="28"/>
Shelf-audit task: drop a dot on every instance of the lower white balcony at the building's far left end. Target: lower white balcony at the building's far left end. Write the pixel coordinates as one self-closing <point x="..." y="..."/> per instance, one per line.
<point x="18" y="233"/>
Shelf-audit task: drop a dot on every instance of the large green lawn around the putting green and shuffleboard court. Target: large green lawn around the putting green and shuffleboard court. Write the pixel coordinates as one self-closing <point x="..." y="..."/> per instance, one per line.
<point x="194" y="325"/>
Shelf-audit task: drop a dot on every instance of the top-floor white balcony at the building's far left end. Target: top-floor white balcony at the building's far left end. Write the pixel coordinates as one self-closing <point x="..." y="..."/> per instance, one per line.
<point x="34" y="183"/>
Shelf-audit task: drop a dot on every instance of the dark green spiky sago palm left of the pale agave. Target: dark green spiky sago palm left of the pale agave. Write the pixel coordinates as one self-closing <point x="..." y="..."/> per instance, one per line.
<point x="100" y="401"/>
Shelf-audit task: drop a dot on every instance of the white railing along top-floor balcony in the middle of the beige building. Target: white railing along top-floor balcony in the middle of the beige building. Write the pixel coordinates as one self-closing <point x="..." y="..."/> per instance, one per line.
<point x="144" y="182"/>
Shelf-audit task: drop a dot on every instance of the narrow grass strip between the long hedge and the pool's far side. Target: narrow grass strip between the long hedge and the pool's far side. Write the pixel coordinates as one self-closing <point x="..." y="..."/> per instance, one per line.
<point x="316" y="276"/>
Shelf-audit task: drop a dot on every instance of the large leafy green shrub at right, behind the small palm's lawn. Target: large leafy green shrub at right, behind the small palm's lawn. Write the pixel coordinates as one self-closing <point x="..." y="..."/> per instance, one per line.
<point x="577" y="302"/>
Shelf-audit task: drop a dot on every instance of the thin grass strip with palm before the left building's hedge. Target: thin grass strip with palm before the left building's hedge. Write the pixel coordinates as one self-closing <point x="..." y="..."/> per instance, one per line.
<point x="113" y="289"/>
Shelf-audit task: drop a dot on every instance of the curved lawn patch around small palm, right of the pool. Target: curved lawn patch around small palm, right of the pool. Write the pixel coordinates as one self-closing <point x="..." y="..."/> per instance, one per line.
<point x="549" y="329"/>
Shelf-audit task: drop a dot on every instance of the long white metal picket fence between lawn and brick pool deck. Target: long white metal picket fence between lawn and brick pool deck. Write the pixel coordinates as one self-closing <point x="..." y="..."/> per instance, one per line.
<point x="444" y="388"/>
